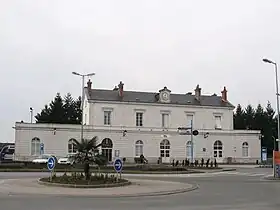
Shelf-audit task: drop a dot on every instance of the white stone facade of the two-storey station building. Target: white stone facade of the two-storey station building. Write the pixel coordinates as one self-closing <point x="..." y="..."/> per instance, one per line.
<point x="151" y="129"/>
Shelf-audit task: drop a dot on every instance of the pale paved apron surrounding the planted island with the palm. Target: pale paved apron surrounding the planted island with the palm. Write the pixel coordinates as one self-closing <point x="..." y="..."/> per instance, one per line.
<point x="138" y="188"/>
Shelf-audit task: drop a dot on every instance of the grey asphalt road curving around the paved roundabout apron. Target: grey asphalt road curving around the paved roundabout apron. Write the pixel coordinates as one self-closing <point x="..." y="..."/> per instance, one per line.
<point x="244" y="190"/>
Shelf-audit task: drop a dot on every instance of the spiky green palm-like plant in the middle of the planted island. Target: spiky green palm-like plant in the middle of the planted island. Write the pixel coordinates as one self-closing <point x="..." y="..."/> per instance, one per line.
<point x="87" y="152"/>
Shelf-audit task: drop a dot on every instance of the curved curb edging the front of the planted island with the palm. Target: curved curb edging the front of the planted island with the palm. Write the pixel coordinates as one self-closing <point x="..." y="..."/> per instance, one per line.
<point x="126" y="183"/>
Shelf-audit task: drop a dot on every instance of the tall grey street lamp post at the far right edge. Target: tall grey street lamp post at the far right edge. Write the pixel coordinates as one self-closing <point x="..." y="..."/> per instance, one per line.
<point x="277" y="104"/>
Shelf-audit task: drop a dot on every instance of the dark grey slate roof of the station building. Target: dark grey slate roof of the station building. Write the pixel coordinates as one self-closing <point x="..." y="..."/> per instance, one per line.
<point x="150" y="97"/>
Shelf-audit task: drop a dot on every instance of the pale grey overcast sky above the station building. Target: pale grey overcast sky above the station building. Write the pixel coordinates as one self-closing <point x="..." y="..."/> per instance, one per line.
<point x="147" y="44"/>
